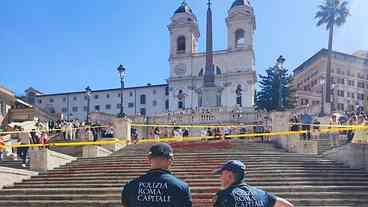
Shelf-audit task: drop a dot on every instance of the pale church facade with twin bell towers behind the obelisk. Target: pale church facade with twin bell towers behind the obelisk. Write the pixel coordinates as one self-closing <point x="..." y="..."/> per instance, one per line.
<point x="233" y="68"/>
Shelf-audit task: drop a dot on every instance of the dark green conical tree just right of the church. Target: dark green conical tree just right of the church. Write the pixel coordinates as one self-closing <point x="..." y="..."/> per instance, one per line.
<point x="276" y="89"/>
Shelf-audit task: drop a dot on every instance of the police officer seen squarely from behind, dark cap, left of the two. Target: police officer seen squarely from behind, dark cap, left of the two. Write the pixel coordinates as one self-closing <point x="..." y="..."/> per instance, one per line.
<point x="158" y="187"/>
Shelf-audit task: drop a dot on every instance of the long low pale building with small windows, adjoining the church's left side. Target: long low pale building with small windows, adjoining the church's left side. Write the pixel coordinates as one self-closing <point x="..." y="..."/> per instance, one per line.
<point x="144" y="100"/>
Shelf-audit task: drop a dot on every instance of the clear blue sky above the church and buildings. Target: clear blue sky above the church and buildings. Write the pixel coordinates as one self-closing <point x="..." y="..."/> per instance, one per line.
<point x="60" y="46"/>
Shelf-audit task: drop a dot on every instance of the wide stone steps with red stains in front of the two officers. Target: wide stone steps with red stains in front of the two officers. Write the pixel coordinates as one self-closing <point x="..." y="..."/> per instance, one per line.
<point x="304" y="180"/>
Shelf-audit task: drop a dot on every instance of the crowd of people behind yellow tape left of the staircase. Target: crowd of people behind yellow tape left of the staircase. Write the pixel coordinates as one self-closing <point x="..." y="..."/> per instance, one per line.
<point x="41" y="133"/>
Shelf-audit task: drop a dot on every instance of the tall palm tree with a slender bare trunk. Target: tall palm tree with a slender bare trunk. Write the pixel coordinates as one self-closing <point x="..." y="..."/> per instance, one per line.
<point x="331" y="13"/>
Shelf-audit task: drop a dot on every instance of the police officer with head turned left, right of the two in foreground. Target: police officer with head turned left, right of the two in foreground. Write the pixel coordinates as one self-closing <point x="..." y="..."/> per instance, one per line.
<point x="236" y="193"/>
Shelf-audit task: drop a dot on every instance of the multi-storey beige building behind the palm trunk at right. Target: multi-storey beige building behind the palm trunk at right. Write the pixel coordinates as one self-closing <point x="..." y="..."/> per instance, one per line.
<point x="349" y="80"/>
